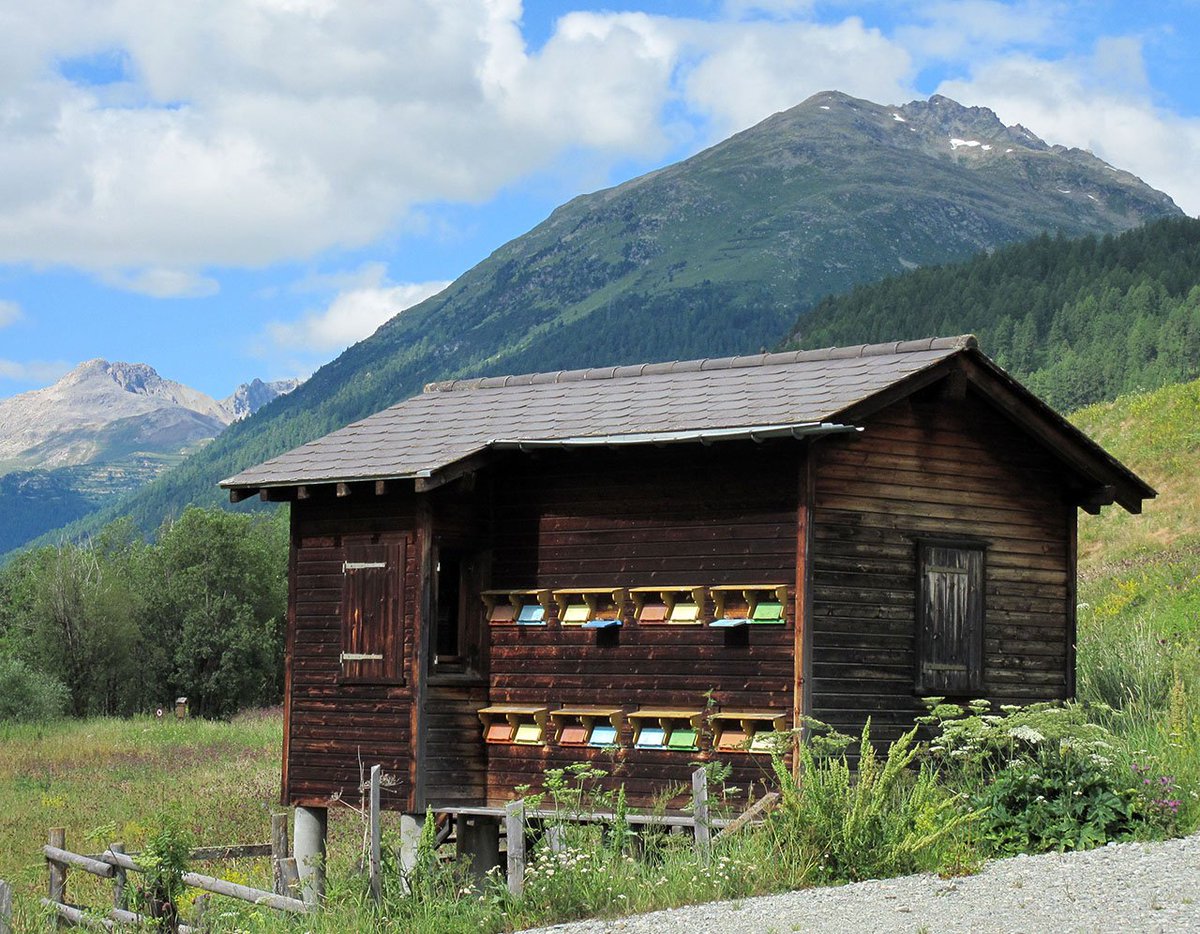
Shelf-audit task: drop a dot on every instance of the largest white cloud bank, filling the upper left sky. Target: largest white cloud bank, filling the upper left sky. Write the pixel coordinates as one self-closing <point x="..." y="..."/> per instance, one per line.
<point x="254" y="131"/>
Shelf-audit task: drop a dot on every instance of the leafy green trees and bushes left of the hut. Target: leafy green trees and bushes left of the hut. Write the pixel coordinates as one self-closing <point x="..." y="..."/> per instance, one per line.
<point x="118" y="625"/>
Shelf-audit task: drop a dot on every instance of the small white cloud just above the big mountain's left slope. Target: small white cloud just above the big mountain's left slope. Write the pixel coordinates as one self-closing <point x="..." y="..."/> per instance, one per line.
<point x="353" y="315"/>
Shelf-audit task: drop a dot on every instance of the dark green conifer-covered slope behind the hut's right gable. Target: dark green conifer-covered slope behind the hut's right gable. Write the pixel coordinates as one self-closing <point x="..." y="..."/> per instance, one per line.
<point x="1078" y="321"/>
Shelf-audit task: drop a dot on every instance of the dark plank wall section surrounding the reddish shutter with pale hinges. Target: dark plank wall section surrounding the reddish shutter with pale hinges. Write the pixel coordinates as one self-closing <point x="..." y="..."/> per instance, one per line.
<point x="333" y="726"/>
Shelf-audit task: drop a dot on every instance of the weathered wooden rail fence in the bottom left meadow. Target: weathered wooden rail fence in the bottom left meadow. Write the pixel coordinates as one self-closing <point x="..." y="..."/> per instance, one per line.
<point x="115" y="864"/>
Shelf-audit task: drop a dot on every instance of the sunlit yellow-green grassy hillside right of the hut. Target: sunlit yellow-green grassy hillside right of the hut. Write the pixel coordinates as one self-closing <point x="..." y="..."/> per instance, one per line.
<point x="1139" y="620"/>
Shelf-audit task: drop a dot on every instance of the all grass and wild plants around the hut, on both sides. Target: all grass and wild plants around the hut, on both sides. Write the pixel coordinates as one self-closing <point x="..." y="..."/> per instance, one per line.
<point x="1139" y="682"/>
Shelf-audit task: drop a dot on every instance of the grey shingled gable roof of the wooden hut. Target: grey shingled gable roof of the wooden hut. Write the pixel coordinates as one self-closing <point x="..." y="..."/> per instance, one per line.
<point x="795" y="393"/>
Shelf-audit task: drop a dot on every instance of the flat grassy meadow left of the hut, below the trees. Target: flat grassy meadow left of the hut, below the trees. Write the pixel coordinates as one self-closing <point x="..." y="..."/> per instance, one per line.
<point x="107" y="780"/>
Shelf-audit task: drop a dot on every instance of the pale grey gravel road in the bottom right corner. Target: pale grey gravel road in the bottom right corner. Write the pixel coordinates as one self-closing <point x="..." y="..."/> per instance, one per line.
<point x="1121" y="888"/>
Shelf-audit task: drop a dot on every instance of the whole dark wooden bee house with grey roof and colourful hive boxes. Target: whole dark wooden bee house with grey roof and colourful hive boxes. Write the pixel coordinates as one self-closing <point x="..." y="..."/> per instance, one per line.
<point x="652" y="566"/>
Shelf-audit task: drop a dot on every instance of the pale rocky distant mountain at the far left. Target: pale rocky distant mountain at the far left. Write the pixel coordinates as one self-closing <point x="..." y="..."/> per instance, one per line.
<point x="103" y="430"/>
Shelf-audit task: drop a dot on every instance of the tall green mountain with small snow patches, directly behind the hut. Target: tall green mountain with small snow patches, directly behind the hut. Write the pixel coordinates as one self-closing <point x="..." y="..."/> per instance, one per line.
<point x="713" y="256"/>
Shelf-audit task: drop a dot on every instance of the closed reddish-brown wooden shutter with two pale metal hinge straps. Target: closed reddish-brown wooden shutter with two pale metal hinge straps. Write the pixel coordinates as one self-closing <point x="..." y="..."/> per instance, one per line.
<point x="374" y="612"/>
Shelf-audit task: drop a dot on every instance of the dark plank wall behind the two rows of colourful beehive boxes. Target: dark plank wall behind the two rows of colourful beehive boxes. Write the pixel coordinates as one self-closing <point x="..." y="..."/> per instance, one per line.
<point x="677" y="516"/>
